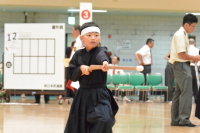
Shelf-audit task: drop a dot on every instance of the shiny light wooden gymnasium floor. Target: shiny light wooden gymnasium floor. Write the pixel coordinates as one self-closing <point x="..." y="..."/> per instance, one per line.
<point x="51" y="118"/>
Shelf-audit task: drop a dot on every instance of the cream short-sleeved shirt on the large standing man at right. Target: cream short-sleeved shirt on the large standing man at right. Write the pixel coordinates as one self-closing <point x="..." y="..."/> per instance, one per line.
<point x="180" y="43"/>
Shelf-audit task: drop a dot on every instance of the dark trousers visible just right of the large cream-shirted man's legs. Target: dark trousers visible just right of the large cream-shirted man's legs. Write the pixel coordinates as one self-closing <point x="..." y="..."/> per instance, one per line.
<point x="194" y="82"/>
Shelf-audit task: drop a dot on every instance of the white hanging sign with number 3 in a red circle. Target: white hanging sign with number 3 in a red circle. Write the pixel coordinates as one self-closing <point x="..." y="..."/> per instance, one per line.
<point x="85" y="13"/>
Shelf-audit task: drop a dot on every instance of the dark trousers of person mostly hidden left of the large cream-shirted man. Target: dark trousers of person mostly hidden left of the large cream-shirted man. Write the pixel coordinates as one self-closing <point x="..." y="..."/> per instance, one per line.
<point x="169" y="80"/>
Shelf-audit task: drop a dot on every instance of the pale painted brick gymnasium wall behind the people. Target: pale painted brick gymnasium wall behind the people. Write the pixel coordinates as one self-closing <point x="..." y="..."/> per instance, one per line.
<point x="134" y="28"/>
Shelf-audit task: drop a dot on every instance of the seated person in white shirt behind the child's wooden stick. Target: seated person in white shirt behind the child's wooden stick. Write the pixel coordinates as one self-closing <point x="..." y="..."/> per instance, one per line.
<point x="115" y="61"/>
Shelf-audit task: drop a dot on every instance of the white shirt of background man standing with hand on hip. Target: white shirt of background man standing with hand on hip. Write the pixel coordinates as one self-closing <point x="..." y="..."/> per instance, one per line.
<point x="146" y="54"/>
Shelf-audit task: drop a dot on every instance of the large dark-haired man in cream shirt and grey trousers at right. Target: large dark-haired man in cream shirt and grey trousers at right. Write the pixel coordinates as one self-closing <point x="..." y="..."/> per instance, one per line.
<point x="179" y="57"/>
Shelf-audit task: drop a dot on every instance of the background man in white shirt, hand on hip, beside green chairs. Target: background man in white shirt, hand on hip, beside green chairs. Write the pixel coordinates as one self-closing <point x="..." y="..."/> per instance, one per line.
<point x="144" y="58"/>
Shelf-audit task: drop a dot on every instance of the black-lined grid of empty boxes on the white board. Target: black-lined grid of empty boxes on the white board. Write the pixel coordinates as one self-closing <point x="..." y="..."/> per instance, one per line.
<point x="36" y="56"/>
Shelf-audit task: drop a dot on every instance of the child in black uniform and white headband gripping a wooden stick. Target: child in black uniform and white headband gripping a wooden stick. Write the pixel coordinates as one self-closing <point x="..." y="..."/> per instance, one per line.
<point x="93" y="108"/>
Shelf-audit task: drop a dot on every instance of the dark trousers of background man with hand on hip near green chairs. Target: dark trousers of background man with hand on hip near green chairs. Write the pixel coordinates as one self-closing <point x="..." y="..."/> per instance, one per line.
<point x="147" y="69"/>
